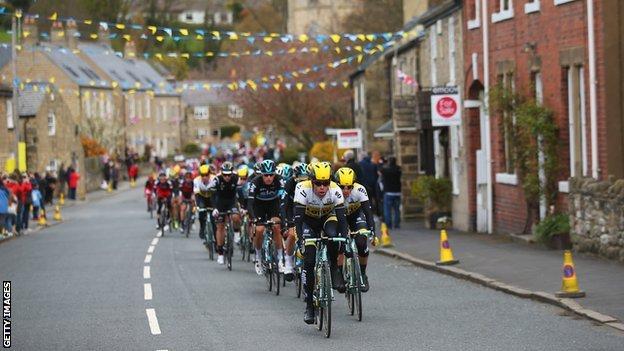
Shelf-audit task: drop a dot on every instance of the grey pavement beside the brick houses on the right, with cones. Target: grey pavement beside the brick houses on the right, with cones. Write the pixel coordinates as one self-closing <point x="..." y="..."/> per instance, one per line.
<point x="527" y="266"/>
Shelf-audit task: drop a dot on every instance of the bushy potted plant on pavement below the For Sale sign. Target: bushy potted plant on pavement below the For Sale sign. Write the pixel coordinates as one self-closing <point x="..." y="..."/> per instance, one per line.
<point x="436" y="196"/>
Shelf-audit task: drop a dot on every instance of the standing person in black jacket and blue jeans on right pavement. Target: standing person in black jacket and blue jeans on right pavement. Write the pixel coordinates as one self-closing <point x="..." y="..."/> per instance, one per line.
<point x="391" y="181"/>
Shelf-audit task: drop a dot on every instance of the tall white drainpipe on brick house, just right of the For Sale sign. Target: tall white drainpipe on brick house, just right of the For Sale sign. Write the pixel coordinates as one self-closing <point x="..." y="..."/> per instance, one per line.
<point x="486" y="115"/>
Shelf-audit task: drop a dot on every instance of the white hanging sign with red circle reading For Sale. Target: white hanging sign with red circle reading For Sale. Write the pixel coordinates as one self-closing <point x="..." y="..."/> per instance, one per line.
<point x="445" y="106"/>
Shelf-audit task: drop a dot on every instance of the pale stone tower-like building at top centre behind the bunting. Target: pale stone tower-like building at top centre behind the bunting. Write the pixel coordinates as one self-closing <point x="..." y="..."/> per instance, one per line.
<point x="319" y="16"/>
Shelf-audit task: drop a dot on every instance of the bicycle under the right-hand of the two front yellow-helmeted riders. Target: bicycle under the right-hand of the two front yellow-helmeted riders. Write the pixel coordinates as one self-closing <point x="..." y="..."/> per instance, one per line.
<point x="353" y="274"/>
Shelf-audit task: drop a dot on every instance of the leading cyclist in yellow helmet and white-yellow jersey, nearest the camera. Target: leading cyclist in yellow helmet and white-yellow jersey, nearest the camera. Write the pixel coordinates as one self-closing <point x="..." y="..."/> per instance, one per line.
<point x="319" y="207"/>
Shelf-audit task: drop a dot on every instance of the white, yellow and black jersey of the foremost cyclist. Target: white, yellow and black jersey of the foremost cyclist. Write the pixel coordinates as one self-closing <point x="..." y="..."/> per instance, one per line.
<point x="315" y="206"/>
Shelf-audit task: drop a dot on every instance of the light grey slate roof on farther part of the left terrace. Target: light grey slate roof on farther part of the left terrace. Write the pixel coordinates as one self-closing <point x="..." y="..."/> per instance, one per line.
<point x="127" y="72"/>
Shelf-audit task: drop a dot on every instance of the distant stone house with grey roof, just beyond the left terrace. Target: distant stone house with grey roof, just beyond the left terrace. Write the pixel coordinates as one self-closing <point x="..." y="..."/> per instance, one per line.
<point x="206" y="112"/>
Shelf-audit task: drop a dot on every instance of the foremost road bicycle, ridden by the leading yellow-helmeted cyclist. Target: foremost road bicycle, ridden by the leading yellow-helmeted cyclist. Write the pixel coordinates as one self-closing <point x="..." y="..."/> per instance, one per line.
<point x="322" y="295"/>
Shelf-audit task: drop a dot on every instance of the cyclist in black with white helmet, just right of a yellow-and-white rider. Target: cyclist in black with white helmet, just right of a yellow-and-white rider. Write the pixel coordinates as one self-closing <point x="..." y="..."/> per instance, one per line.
<point x="224" y="187"/>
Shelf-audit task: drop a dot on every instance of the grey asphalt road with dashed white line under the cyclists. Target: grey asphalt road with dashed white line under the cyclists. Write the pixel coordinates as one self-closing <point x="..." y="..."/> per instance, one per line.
<point x="81" y="285"/>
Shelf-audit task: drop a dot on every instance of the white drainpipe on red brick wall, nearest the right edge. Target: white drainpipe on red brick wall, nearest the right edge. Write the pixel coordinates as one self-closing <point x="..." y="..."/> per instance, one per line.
<point x="593" y="104"/>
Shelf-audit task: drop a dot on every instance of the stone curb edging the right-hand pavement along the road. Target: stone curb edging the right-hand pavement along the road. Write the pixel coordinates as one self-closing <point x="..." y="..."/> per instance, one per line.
<point x="477" y="278"/>
